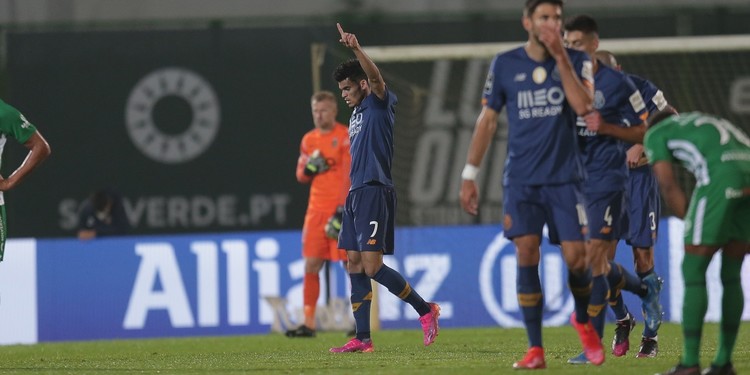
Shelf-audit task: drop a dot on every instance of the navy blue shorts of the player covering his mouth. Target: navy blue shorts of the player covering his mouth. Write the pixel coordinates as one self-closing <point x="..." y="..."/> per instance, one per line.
<point x="527" y="208"/>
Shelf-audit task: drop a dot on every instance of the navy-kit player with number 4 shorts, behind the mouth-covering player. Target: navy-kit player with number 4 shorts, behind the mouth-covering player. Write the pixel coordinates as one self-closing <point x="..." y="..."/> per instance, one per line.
<point x="618" y="102"/>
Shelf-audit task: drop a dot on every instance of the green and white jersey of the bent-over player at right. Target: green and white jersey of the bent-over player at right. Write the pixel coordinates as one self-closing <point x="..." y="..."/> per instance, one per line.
<point x="705" y="145"/>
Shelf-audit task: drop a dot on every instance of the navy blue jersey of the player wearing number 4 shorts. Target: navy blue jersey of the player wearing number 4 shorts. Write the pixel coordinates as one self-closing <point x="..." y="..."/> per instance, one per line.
<point x="619" y="102"/>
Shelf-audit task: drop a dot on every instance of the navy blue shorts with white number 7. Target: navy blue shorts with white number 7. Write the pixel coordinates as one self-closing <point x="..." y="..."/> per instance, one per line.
<point x="369" y="219"/>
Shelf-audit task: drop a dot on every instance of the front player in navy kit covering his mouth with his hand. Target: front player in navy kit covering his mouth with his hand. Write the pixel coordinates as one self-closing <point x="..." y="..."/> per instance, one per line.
<point x="544" y="87"/>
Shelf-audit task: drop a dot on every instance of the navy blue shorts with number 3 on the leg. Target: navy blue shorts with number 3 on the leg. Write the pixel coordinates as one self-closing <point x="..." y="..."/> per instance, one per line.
<point x="643" y="208"/>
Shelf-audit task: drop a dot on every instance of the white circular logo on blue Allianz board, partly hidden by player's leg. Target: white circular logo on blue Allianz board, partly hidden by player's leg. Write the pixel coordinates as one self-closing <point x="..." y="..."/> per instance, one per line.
<point x="503" y="306"/>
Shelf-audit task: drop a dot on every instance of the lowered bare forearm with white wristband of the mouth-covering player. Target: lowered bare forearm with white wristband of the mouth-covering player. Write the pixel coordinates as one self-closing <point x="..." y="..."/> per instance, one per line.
<point x="484" y="131"/>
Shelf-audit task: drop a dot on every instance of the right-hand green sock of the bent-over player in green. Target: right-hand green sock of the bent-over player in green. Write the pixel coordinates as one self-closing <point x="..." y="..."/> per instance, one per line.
<point x="732" y="303"/>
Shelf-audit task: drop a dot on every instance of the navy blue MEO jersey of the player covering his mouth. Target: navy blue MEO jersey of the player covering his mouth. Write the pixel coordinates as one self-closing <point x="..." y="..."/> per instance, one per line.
<point x="542" y="145"/>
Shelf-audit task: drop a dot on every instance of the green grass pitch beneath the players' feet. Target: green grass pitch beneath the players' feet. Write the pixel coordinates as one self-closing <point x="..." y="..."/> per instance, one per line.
<point x="456" y="351"/>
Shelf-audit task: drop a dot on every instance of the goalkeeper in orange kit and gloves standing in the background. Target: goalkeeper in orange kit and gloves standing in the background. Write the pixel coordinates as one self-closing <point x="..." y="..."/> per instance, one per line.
<point x="324" y="163"/>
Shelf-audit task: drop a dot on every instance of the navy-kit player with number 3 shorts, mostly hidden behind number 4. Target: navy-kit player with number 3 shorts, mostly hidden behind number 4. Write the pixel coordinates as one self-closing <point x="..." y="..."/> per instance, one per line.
<point x="643" y="211"/>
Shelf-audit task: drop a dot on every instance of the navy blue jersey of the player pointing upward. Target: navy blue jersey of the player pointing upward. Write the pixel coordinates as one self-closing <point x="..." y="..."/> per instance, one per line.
<point x="371" y="138"/>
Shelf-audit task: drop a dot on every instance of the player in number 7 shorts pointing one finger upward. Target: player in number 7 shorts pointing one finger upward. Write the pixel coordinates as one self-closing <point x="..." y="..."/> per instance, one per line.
<point x="367" y="231"/>
